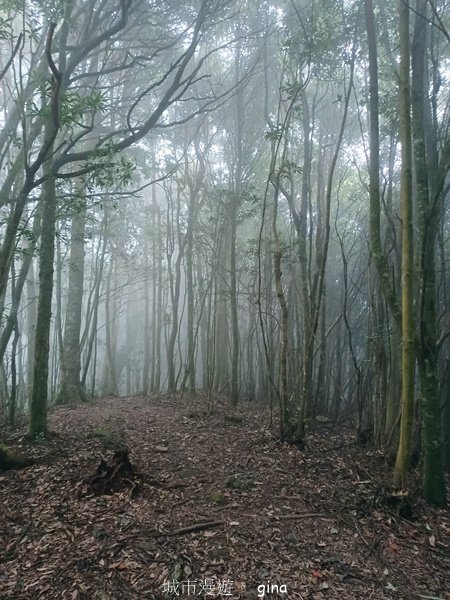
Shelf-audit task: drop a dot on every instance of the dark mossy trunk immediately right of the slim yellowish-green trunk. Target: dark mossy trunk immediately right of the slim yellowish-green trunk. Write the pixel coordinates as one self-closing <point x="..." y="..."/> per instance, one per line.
<point x="433" y="475"/>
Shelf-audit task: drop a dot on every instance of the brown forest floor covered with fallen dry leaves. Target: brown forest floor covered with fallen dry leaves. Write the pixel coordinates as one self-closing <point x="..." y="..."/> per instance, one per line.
<point x="216" y="507"/>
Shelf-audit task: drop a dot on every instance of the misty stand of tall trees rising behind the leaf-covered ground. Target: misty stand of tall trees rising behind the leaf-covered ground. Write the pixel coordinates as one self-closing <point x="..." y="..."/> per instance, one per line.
<point x="244" y="198"/>
